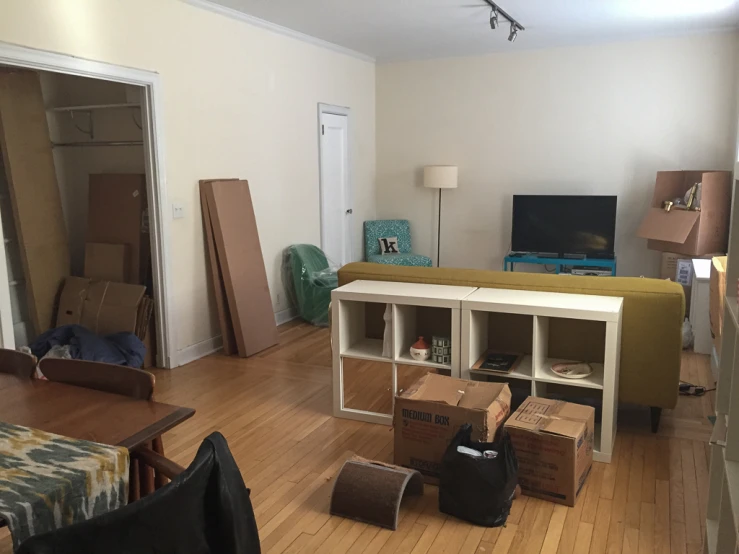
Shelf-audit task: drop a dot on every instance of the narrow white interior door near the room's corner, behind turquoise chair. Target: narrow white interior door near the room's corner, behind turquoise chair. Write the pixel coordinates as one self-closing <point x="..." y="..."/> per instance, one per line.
<point x="336" y="209"/>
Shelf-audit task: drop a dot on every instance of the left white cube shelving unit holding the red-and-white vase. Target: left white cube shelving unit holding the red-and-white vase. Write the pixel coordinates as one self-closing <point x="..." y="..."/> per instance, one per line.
<point x="349" y="333"/>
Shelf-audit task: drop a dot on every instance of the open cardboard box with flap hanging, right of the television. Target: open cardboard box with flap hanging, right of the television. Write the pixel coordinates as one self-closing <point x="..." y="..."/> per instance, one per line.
<point x="690" y="233"/>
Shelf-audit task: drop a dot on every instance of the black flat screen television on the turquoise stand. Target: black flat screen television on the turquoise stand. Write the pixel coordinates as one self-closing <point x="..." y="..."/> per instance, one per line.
<point x="577" y="225"/>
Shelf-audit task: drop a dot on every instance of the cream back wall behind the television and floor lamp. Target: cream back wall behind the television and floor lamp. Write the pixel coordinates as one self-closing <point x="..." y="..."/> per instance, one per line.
<point x="585" y="120"/>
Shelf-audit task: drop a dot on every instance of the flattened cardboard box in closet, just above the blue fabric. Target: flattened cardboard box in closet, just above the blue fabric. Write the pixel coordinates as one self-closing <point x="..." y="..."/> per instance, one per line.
<point x="101" y="306"/>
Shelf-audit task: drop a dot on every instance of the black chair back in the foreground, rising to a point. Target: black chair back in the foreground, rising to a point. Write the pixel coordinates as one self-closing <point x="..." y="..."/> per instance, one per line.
<point x="206" y="509"/>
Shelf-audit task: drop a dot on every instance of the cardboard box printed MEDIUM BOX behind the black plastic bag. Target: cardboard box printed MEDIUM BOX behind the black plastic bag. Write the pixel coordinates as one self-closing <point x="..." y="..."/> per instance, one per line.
<point x="430" y="412"/>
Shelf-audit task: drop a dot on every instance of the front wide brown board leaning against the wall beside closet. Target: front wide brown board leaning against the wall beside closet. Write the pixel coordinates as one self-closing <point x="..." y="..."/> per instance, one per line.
<point x="242" y="264"/>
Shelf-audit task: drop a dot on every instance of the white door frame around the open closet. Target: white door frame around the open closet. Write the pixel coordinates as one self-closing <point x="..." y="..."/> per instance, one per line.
<point x="153" y="135"/>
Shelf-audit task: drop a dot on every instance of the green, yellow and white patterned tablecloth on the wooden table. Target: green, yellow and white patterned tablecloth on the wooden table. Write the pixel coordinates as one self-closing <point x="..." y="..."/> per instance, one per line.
<point x="48" y="481"/>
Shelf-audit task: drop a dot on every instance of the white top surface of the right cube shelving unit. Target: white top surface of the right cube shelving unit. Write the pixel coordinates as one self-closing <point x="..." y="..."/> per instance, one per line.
<point x="524" y="301"/>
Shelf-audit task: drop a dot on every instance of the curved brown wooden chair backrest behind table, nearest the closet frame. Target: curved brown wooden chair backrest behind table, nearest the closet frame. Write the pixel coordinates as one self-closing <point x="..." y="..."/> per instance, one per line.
<point x="126" y="381"/>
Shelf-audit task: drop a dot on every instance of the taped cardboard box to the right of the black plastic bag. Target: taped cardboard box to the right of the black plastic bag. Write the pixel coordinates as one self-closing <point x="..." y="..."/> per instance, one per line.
<point x="554" y="445"/>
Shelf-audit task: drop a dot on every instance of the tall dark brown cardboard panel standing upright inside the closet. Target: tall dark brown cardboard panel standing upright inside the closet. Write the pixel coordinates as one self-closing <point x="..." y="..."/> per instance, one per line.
<point x="118" y="214"/>
